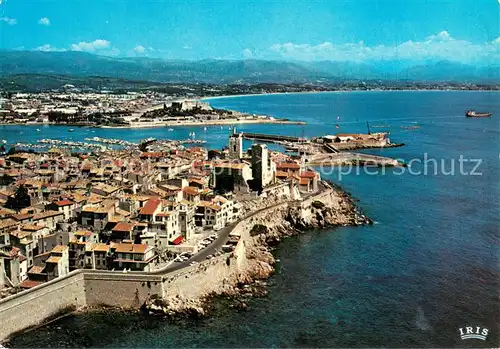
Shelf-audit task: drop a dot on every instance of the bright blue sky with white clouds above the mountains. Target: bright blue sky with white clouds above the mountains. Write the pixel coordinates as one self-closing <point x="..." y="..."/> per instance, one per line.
<point x="362" y="31"/>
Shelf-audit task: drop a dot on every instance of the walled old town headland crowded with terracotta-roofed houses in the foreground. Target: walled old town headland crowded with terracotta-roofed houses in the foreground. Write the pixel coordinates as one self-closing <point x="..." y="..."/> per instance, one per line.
<point x="157" y="225"/>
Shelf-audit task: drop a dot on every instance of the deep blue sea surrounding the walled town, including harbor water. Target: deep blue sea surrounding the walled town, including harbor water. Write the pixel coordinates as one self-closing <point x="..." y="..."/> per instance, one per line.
<point x="427" y="267"/>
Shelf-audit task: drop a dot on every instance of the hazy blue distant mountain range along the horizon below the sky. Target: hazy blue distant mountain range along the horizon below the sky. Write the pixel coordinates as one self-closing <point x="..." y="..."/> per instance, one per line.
<point x="81" y="64"/>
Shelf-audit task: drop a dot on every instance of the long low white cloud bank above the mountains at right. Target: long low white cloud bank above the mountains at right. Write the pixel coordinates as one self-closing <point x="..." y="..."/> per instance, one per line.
<point x="441" y="46"/>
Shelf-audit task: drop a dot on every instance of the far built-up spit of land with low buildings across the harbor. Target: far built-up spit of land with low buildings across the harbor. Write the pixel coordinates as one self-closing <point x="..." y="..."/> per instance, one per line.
<point x="127" y="110"/>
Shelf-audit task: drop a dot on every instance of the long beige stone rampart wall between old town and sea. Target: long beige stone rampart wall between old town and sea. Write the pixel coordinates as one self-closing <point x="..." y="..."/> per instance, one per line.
<point x="90" y="288"/>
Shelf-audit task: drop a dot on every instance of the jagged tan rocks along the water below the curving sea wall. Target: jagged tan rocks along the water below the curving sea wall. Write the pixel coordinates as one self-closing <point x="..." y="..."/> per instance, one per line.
<point x="265" y="235"/>
